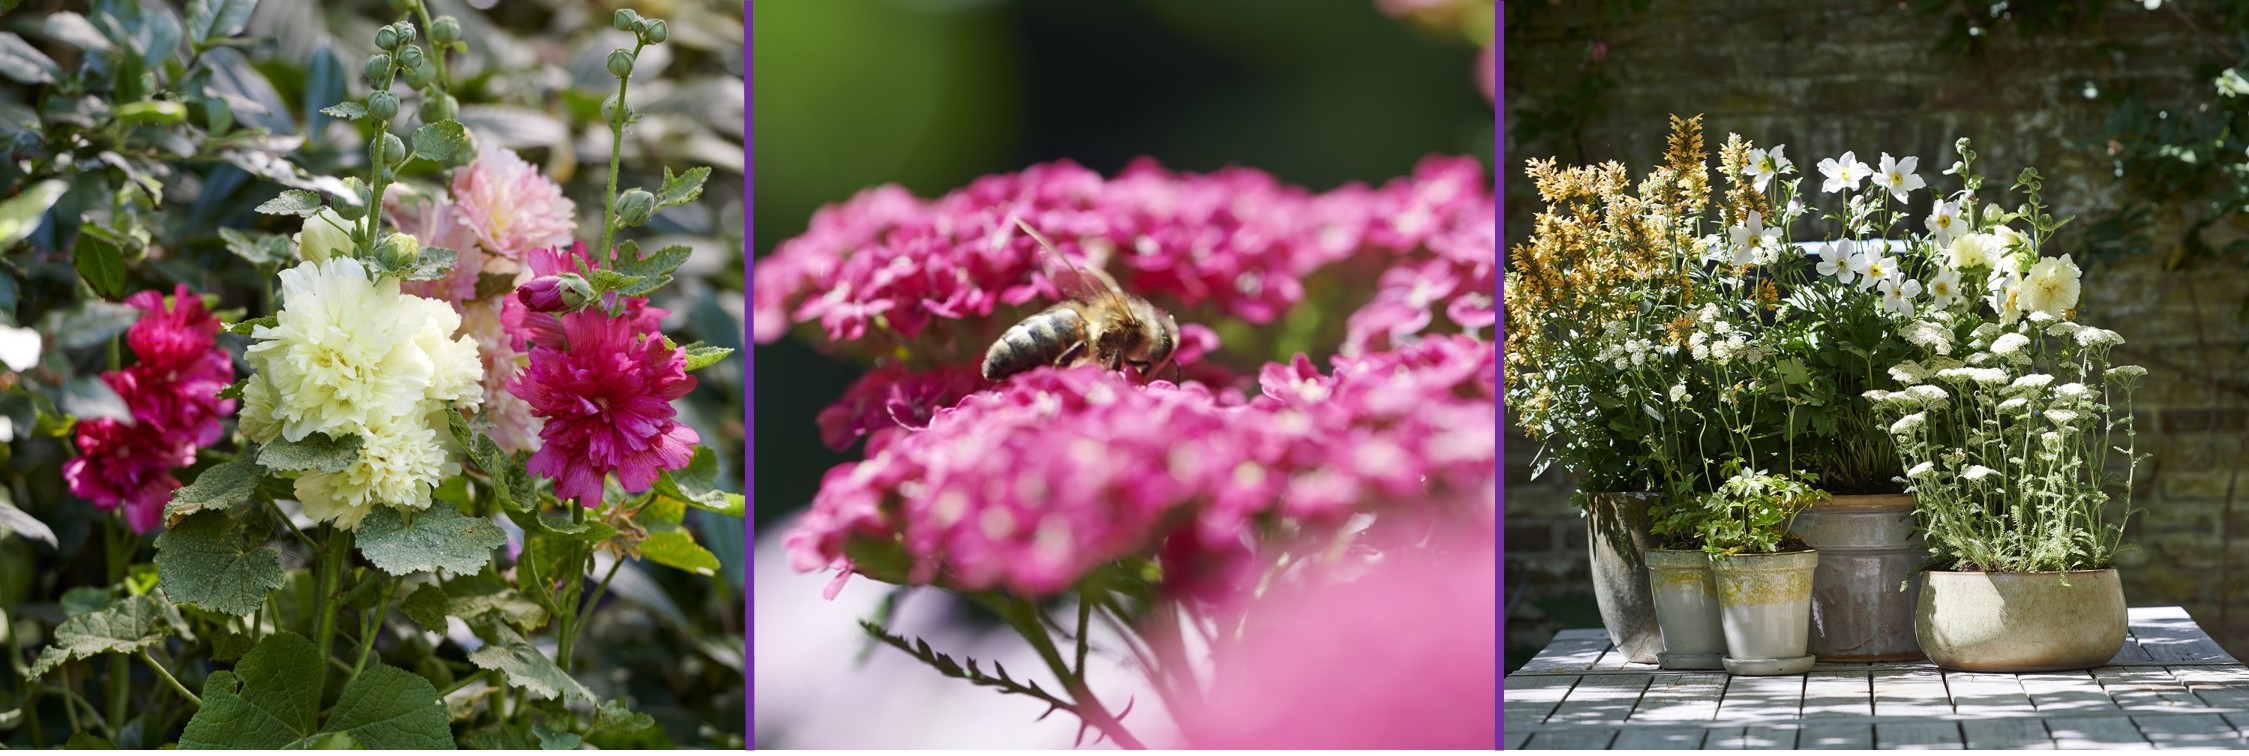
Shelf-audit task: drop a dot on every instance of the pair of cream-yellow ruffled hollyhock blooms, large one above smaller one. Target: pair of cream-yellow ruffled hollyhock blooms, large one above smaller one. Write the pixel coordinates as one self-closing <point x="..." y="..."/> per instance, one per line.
<point x="354" y="357"/>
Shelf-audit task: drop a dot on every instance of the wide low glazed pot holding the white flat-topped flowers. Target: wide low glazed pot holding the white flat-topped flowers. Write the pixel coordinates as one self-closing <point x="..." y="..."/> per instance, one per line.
<point x="2021" y="622"/>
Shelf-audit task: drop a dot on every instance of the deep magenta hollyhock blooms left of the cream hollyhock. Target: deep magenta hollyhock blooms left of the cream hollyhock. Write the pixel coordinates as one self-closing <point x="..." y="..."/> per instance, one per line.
<point x="174" y="408"/>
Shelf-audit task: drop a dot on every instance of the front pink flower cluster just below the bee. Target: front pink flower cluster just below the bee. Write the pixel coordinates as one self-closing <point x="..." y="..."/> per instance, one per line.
<point x="1060" y="471"/>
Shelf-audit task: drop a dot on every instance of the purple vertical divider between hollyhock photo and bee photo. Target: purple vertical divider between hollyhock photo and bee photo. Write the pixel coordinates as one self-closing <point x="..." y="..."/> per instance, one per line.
<point x="750" y="379"/>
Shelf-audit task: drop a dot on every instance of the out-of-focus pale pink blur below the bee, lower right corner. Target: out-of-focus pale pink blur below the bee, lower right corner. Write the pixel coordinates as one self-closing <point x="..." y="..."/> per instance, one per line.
<point x="1398" y="658"/>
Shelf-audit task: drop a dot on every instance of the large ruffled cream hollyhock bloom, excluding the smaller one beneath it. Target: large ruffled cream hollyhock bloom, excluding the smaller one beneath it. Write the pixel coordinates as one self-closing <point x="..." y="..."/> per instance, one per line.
<point x="350" y="352"/>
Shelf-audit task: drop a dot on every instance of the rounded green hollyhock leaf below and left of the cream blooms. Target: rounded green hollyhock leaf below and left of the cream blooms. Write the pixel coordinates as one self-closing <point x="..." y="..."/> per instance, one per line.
<point x="213" y="561"/>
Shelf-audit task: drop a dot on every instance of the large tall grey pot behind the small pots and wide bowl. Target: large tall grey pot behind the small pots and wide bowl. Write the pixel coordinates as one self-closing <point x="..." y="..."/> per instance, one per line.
<point x="1868" y="550"/>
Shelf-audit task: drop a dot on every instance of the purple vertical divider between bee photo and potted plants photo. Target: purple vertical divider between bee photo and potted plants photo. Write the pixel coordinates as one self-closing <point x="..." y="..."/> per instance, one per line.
<point x="1499" y="339"/>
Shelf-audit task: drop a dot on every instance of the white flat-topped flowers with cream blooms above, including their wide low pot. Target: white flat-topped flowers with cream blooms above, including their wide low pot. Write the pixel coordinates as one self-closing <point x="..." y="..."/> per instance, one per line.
<point x="2005" y="426"/>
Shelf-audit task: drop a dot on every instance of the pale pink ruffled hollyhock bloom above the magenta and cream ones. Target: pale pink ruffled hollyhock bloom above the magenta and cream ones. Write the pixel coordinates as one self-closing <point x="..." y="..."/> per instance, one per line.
<point x="509" y="206"/>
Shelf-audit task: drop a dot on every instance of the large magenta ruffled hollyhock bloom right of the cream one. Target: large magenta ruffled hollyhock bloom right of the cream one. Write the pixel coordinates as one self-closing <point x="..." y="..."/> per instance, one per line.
<point x="606" y="397"/>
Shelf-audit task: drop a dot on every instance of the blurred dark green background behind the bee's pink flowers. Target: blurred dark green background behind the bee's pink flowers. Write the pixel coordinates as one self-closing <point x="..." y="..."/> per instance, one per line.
<point x="937" y="93"/>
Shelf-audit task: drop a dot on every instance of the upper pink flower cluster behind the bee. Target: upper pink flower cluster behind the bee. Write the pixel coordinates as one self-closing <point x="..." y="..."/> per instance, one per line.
<point x="887" y="267"/>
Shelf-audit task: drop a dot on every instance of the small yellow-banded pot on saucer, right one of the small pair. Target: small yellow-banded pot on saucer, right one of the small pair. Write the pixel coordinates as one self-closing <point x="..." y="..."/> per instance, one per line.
<point x="1767" y="609"/>
